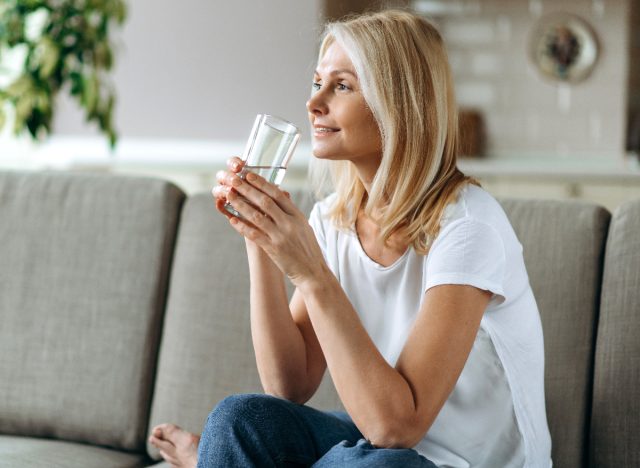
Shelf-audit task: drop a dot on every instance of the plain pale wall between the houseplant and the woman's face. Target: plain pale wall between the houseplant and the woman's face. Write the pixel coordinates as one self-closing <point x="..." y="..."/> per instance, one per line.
<point x="202" y="69"/>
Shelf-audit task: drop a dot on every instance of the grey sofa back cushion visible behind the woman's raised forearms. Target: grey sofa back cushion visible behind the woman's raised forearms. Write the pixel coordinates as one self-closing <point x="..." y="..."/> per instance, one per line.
<point x="206" y="352"/>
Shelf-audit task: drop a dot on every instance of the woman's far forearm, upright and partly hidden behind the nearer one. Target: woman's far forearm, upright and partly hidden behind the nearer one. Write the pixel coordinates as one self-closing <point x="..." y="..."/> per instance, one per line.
<point x="278" y="344"/>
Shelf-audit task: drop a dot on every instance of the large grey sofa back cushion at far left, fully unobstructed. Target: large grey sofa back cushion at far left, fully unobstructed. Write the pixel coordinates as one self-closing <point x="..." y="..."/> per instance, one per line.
<point x="85" y="261"/>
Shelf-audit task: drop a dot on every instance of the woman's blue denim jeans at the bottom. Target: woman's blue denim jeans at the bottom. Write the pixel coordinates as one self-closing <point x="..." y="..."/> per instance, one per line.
<point x="263" y="431"/>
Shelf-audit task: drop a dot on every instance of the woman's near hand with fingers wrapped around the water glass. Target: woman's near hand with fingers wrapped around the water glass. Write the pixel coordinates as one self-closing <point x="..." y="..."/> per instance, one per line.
<point x="274" y="223"/>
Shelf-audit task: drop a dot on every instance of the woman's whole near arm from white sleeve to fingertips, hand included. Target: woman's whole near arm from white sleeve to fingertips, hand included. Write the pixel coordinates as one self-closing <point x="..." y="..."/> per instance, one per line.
<point x="392" y="407"/>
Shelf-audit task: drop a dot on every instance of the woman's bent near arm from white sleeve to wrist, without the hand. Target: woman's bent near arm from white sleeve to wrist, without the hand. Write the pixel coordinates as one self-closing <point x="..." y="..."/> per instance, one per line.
<point x="394" y="407"/>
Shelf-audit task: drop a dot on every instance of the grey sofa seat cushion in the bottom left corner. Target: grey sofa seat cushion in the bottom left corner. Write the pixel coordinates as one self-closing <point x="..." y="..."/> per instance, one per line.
<point x="45" y="453"/>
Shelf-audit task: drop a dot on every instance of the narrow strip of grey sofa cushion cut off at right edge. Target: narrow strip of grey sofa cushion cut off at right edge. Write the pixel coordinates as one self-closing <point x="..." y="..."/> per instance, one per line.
<point x="615" y="423"/>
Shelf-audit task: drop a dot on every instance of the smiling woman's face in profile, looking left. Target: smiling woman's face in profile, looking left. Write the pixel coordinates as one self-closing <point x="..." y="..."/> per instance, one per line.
<point x="343" y="126"/>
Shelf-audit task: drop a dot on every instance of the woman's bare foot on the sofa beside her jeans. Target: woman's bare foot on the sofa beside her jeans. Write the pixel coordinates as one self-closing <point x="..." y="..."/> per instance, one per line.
<point x="177" y="446"/>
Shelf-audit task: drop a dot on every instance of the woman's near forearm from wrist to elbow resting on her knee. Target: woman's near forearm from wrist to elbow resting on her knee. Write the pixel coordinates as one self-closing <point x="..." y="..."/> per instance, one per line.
<point x="376" y="395"/>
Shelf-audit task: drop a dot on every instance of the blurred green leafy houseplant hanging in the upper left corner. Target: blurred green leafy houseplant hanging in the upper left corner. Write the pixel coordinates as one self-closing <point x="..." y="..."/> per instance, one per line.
<point x="65" y="47"/>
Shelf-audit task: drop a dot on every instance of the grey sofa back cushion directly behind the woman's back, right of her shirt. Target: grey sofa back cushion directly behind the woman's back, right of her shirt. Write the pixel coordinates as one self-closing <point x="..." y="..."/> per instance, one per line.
<point x="563" y="245"/>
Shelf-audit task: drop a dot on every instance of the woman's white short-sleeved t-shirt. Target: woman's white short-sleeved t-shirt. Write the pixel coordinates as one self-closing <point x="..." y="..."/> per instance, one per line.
<point x="495" y="415"/>
